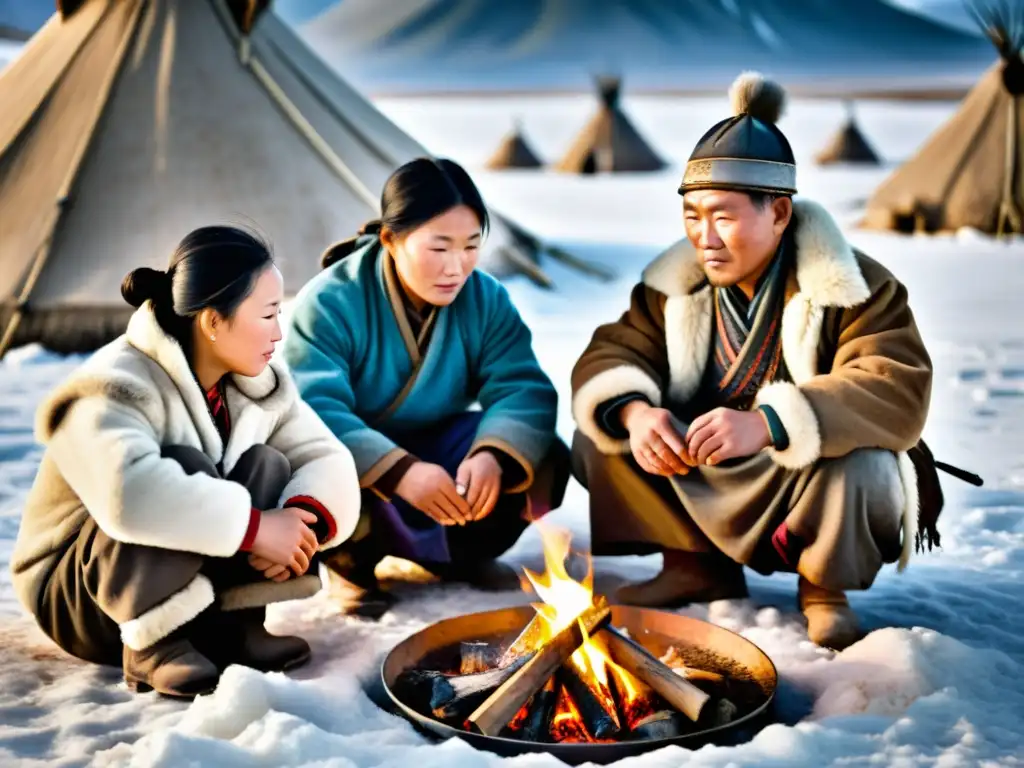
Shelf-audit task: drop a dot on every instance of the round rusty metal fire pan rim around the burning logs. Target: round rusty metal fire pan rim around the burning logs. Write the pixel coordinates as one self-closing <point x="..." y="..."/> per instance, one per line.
<point x="656" y="630"/>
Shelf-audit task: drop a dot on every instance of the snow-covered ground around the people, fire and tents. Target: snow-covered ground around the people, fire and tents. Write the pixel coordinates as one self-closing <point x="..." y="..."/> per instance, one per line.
<point x="937" y="682"/>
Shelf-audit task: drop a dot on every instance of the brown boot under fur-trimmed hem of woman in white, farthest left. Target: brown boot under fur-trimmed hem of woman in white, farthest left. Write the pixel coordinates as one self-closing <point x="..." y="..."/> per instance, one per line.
<point x="173" y="667"/>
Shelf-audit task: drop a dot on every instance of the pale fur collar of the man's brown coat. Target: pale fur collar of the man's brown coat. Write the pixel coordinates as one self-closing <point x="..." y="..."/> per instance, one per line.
<point x="827" y="268"/>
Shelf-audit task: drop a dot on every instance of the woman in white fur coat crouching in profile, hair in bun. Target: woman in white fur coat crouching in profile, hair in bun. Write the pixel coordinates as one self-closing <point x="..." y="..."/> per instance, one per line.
<point x="186" y="485"/>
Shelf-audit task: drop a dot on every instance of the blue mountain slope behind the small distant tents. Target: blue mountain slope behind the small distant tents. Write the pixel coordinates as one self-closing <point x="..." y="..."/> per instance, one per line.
<point x="682" y="45"/>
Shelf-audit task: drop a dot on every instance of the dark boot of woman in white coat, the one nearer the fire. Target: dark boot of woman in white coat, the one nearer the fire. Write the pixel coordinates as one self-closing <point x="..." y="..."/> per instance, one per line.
<point x="241" y="637"/>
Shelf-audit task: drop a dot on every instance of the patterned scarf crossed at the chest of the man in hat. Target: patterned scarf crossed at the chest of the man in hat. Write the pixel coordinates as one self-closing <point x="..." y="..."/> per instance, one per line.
<point x="748" y="345"/>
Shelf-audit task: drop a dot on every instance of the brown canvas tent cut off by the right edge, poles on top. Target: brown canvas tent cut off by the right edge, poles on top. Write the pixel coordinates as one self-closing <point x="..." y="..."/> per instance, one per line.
<point x="969" y="174"/>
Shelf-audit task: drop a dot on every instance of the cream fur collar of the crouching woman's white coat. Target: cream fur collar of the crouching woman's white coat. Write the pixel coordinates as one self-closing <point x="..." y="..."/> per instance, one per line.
<point x="135" y="369"/>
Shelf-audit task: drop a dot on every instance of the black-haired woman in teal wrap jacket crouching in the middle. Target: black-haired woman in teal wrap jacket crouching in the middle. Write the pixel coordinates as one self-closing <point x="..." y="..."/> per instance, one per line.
<point x="392" y="346"/>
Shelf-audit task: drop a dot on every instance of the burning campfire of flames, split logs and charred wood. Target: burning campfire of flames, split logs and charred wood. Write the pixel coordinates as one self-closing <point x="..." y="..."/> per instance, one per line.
<point x="572" y="676"/>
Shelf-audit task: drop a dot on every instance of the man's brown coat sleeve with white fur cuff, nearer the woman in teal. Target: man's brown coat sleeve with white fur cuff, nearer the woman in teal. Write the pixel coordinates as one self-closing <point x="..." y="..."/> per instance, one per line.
<point x="623" y="358"/>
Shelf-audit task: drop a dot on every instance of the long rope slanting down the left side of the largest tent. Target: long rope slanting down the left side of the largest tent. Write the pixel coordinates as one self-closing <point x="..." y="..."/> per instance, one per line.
<point x="64" y="194"/>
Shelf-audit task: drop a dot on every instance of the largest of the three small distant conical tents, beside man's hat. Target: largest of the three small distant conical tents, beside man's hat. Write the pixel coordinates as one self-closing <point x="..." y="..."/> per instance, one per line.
<point x="610" y="143"/>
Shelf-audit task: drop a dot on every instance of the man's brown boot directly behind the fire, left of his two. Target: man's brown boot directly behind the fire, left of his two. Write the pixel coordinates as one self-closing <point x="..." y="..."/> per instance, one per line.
<point x="688" y="578"/>
